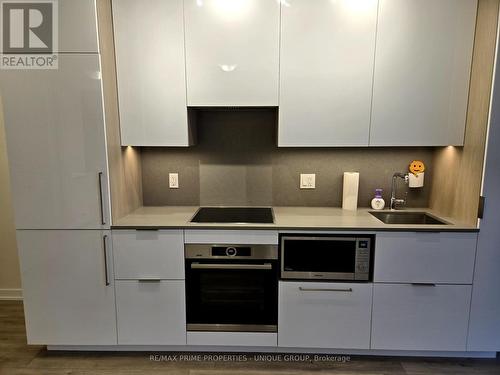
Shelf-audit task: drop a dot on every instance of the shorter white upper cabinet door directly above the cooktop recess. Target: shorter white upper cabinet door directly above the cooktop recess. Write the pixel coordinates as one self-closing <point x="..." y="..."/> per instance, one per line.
<point x="232" y="52"/>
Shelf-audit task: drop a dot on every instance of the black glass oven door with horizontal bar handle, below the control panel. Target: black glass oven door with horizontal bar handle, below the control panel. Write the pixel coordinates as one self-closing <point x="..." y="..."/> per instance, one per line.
<point x="232" y="295"/>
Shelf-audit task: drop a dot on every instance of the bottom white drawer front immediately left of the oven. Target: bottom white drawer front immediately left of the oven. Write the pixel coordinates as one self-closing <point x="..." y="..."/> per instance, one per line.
<point x="151" y="313"/>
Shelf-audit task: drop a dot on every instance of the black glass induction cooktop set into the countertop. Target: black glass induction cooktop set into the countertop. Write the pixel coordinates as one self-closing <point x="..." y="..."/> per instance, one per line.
<point x="251" y="215"/>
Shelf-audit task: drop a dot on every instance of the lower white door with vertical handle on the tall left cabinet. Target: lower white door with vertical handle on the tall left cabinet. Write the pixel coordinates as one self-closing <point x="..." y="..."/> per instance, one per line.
<point x="68" y="289"/>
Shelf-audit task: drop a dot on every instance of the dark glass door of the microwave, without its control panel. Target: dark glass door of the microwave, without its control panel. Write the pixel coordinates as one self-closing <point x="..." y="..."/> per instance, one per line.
<point x="324" y="258"/>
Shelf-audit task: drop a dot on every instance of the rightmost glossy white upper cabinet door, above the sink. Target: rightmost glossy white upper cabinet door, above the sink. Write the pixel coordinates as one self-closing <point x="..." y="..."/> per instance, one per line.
<point x="422" y="70"/>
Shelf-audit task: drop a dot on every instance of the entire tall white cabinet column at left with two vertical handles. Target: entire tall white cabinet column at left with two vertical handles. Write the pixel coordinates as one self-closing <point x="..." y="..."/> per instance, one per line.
<point x="56" y="147"/>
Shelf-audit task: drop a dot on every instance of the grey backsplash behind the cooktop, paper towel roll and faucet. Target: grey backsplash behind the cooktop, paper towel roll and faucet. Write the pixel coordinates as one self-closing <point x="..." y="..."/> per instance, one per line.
<point x="236" y="162"/>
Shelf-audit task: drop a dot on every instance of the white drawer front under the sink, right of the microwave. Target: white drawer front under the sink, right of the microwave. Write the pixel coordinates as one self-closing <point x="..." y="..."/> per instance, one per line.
<point x="425" y="257"/>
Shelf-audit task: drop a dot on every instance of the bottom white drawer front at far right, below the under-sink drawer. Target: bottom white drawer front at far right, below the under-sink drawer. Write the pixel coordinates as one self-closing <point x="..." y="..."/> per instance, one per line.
<point x="409" y="317"/>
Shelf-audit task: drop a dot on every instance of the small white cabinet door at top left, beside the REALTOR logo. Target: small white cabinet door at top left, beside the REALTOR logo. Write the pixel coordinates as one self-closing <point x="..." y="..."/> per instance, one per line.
<point x="77" y="26"/>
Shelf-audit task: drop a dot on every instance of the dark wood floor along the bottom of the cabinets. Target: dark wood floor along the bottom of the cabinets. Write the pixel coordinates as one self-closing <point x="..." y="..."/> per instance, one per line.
<point x="18" y="358"/>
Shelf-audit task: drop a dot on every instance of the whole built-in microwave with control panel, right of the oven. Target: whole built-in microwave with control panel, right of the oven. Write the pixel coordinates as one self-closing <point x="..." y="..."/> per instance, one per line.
<point x="326" y="257"/>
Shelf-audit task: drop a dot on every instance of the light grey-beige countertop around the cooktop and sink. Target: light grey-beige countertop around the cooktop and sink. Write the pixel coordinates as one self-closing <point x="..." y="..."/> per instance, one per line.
<point x="289" y="218"/>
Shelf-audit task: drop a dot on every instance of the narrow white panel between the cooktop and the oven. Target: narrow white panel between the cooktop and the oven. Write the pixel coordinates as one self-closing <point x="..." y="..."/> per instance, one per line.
<point x="234" y="237"/>
